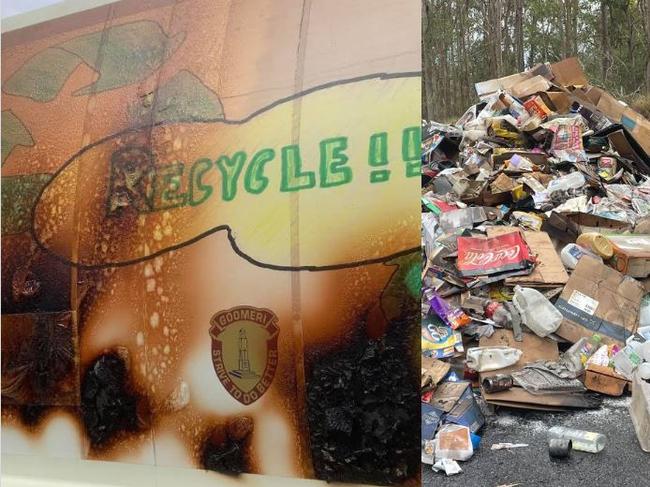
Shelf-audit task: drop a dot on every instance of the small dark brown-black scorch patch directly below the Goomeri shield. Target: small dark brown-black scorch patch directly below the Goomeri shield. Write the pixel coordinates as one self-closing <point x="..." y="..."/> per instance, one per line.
<point x="226" y="448"/>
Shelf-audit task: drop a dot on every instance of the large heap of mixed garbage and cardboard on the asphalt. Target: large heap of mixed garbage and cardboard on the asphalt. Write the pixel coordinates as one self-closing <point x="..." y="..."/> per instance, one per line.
<point x="536" y="238"/>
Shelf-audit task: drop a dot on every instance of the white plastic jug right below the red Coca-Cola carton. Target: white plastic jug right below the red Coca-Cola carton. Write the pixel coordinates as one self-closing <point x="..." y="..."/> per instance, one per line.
<point x="537" y="312"/>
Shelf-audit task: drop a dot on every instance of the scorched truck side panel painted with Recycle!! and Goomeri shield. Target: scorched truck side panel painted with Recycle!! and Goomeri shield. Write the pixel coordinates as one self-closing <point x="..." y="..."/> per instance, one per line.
<point x="210" y="237"/>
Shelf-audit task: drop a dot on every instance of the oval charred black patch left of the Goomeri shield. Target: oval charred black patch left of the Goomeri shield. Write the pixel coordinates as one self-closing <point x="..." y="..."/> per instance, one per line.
<point x="108" y="405"/>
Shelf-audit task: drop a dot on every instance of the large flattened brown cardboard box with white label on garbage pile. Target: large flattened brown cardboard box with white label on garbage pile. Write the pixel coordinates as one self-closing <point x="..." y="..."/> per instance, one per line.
<point x="599" y="299"/>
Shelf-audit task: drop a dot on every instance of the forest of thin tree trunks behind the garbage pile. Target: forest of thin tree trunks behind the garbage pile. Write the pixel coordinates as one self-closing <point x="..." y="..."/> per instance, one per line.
<point x="466" y="41"/>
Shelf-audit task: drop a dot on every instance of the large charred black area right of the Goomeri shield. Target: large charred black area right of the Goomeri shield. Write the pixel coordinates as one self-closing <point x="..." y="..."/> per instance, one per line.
<point x="363" y="402"/>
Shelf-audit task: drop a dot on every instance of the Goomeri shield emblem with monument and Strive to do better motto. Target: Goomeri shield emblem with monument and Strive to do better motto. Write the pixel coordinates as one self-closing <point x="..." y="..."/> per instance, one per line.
<point x="245" y="351"/>
